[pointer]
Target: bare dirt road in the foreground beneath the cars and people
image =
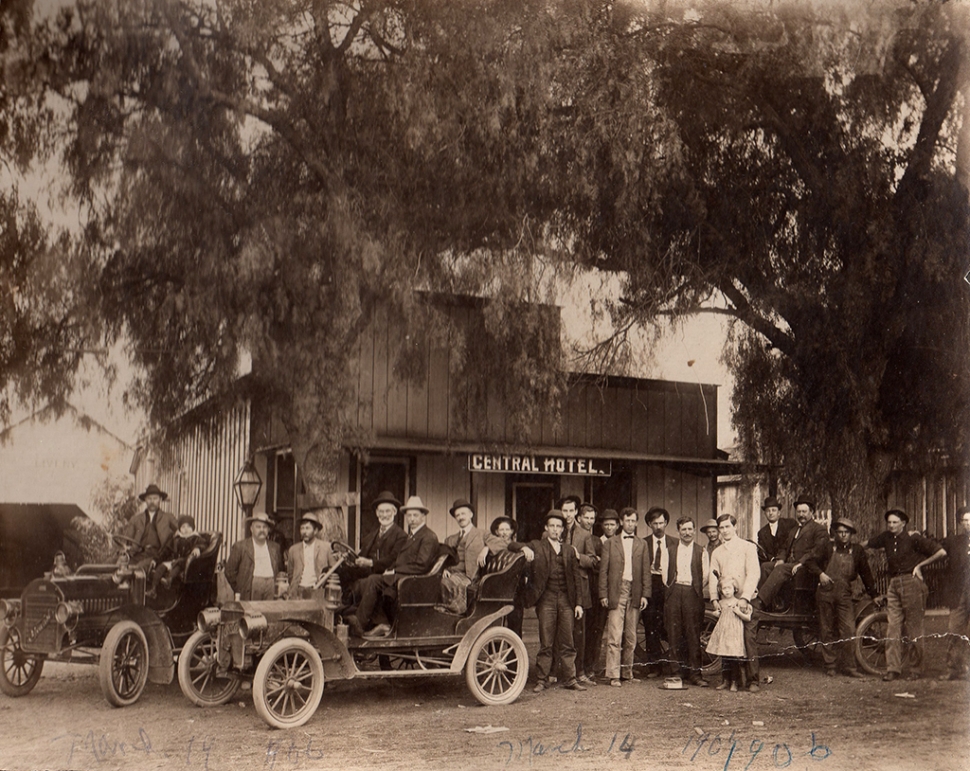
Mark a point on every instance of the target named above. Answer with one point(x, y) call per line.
point(802, 720)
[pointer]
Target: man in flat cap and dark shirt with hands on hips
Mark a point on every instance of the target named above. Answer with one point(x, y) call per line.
point(906, 556)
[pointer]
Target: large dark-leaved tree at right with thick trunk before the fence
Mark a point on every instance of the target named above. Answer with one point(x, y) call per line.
point(808, 188)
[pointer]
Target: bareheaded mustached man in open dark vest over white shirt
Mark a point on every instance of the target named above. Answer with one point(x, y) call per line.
point(687, 573)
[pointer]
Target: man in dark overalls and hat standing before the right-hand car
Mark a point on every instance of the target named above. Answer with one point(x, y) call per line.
point(836, 610)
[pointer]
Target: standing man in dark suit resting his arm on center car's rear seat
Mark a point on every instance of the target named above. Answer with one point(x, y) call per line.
point(555, 573)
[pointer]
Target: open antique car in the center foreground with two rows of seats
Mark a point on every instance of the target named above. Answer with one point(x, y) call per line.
point(290, 648)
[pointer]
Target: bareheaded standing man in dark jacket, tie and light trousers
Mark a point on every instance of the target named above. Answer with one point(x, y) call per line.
point(624, 590)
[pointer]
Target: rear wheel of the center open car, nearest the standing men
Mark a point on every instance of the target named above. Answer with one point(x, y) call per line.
point(497, 666)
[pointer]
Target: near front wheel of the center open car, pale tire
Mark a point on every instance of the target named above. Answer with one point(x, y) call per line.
point(289, 683)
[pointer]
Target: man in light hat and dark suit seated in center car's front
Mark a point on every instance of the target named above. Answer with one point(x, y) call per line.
point(416, 557)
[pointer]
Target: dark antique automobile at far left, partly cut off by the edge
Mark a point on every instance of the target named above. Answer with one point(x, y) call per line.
point(105, 614)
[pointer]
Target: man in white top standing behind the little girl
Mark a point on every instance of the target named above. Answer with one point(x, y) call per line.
point(738, 558)
